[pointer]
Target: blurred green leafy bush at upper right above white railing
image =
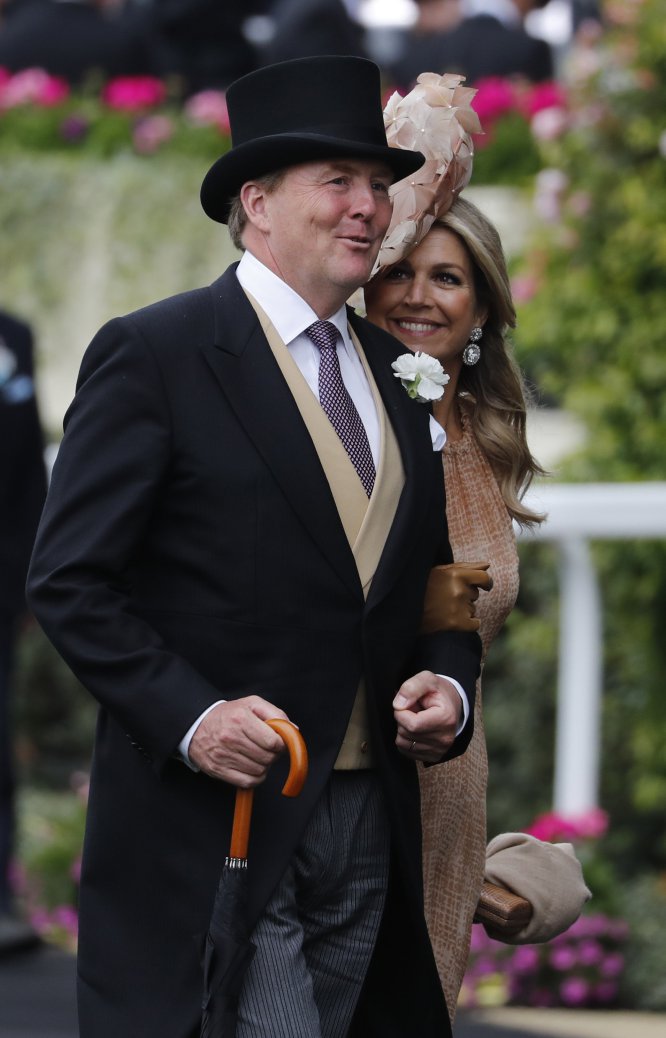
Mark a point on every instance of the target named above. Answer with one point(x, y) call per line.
point(593, 336)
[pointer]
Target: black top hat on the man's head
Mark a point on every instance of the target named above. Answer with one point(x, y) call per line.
point(307, 111)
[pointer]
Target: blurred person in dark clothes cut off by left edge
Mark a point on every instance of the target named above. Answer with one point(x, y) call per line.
point(22, 495)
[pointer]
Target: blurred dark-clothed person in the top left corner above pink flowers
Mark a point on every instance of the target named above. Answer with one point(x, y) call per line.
point(74, 39)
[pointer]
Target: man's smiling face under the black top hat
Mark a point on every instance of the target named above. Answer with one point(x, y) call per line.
point(326, 223)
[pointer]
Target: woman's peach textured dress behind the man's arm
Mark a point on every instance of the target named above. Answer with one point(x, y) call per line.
point(454, 796)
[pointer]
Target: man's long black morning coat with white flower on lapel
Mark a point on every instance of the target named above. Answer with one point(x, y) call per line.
point(190, 551)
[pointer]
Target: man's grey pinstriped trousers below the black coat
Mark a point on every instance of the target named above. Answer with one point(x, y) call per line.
point(317, 936)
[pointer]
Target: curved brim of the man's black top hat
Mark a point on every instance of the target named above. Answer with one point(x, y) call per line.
point(269, 155)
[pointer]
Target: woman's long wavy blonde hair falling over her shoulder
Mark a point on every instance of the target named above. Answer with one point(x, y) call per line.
point(493, 394)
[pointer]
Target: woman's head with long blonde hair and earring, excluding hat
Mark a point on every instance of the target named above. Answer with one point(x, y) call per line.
point(437, 299)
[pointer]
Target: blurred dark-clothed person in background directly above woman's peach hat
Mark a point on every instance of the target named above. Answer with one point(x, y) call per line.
point(490, 40)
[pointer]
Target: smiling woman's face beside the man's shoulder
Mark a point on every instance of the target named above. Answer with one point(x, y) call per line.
point(428, 302)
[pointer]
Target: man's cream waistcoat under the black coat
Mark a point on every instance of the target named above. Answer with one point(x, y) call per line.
point(367, 523)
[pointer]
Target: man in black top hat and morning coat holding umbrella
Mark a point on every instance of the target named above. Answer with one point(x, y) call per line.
point(242, 518)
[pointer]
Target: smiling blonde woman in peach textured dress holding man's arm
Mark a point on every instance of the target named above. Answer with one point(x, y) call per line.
point(450, 296)
